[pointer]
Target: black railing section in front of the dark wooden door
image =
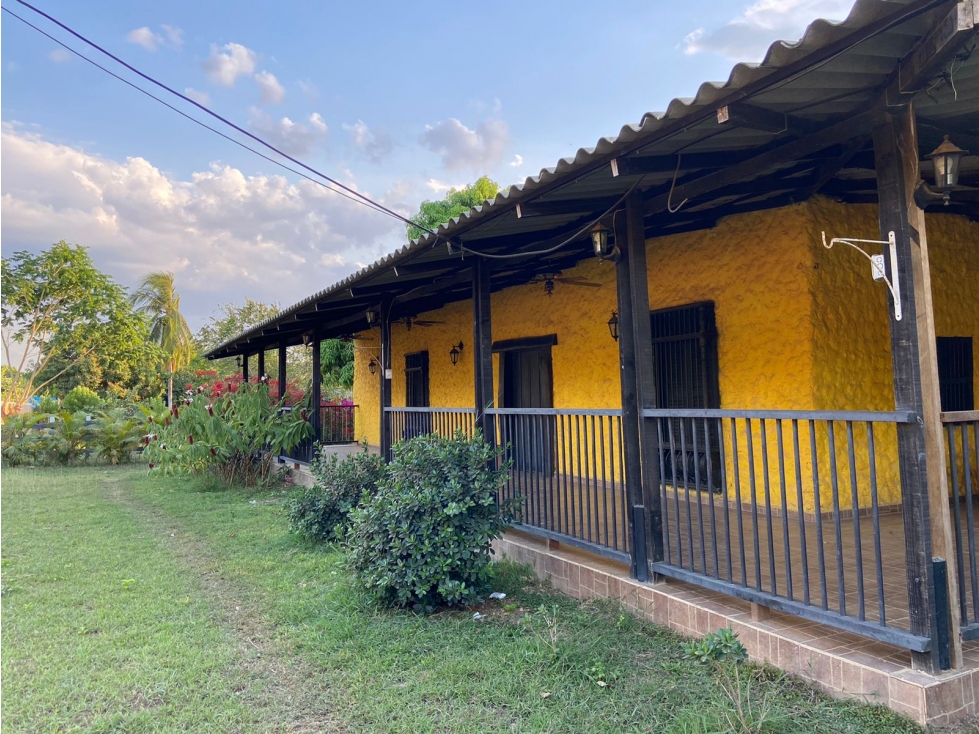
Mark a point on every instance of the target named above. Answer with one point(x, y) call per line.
point(567, 473)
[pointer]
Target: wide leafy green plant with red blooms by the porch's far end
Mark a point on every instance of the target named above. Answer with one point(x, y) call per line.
point(228, 435)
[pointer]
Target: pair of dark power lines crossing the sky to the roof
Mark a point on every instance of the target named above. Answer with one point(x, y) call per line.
point(352, 192)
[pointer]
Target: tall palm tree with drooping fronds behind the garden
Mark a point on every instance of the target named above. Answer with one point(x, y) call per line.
point(156, 298)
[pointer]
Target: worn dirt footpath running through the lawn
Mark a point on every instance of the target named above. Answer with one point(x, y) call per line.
point(276, 680)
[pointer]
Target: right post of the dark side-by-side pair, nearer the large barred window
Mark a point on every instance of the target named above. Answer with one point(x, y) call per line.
point(645, 375)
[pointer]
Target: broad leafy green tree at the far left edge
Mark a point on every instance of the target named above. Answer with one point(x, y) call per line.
point(59, 313)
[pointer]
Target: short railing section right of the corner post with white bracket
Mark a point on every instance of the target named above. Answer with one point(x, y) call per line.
point(962, 447)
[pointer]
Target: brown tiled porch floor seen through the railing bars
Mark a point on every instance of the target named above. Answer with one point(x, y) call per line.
point(709, 536)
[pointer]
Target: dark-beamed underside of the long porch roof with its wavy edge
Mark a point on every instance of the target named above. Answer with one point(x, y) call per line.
point(797, 124)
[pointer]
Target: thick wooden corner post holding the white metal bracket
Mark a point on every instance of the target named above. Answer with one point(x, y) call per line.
point(927, 526)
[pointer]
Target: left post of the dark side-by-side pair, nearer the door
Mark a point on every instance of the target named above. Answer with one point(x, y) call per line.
point(631, 416)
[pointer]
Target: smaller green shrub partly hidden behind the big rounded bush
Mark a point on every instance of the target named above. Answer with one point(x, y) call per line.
point(321, 513)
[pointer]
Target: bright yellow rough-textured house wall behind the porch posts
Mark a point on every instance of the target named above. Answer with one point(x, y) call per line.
point(799, 327)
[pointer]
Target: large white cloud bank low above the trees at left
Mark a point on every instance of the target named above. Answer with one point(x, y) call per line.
point(226, 235)
